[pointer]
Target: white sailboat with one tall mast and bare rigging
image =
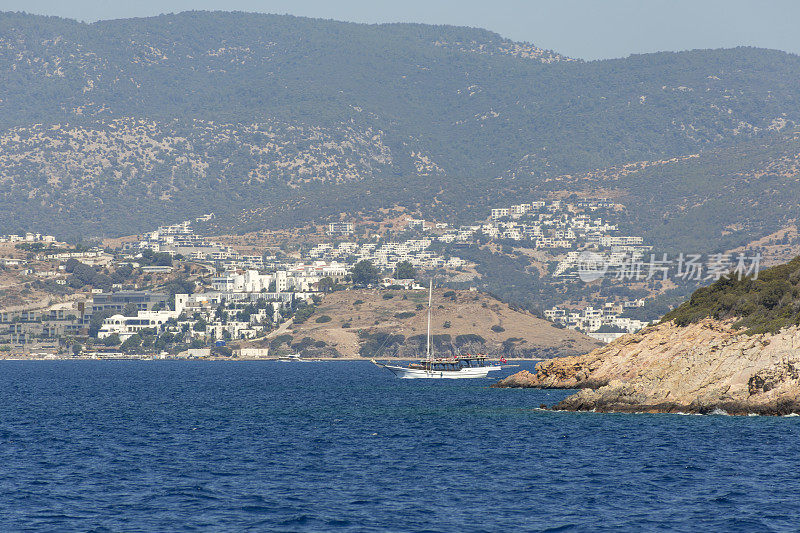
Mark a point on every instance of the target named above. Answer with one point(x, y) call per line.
point(459, 367)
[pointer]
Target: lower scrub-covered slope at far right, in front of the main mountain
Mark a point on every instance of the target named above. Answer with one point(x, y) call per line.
point(716, 199)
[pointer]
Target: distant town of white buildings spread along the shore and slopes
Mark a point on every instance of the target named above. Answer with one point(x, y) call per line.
point(176, 293)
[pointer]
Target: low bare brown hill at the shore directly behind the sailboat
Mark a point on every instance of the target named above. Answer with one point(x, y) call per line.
point(366, 323)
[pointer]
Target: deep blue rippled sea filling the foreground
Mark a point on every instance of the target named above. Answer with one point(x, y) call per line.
point(345, 446)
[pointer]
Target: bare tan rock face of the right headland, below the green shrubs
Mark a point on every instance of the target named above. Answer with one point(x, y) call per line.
point(695, 369)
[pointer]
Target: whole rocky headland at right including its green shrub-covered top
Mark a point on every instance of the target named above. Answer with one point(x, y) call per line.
point(734, 347)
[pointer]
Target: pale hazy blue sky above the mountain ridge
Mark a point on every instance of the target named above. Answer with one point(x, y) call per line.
point(588, 29)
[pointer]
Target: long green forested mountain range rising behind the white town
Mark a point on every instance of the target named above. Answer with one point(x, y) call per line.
point(113, 127)
